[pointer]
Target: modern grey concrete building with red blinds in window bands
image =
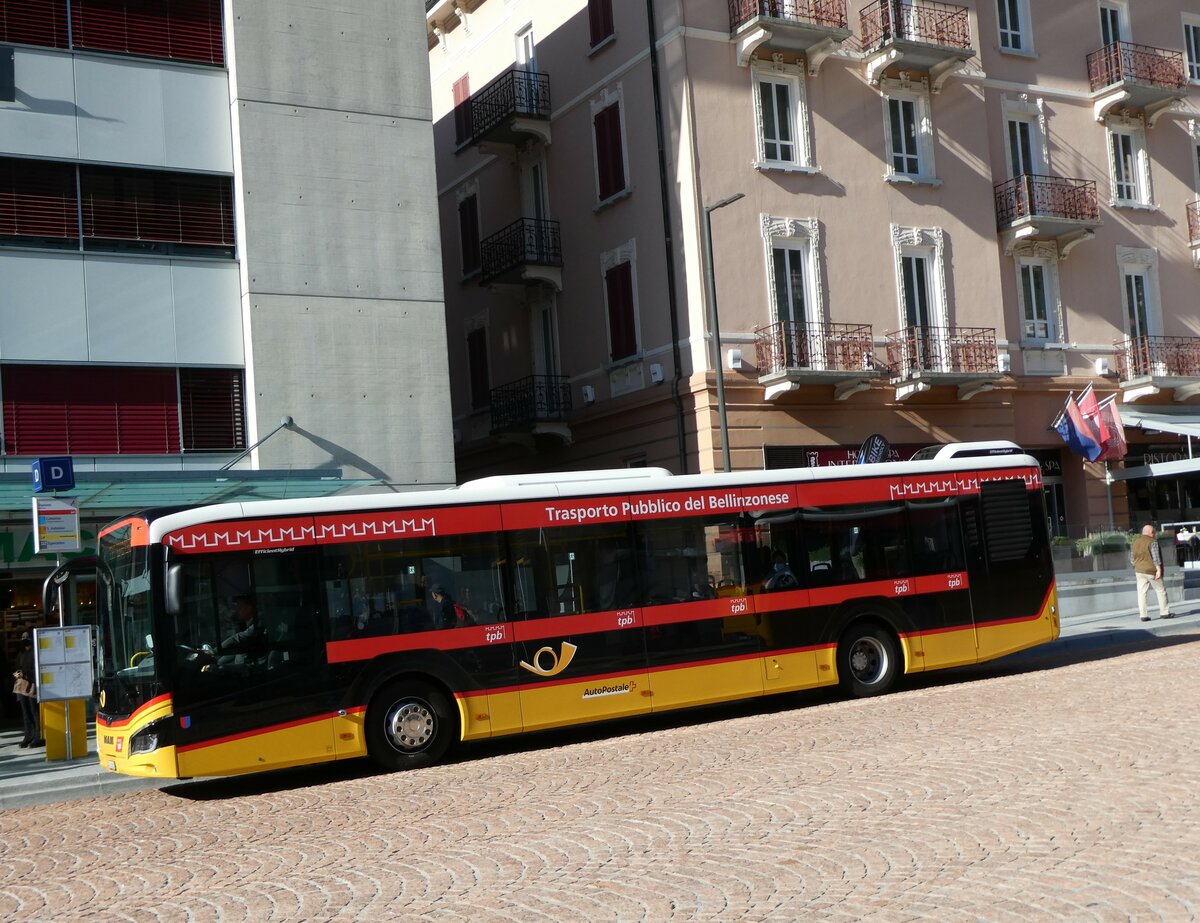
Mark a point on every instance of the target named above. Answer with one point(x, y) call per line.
point(219, 250)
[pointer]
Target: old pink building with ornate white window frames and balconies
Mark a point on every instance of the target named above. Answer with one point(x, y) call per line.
point(931, 221)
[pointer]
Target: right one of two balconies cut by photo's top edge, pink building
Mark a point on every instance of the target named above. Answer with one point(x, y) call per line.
point(916, 35)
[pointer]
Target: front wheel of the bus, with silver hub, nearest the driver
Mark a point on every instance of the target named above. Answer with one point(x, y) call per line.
point(410, 724)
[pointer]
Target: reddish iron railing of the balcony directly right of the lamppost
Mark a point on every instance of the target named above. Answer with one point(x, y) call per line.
point(817, 347)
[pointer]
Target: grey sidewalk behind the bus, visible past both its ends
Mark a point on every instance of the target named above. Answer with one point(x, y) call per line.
point(28, 780)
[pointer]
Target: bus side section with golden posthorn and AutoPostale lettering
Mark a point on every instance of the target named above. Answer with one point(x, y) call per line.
point(581, 643)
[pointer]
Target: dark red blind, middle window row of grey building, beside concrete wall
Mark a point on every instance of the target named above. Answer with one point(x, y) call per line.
point(124, 205)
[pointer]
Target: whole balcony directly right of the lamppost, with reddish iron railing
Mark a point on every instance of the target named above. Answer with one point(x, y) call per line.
point(791, 355)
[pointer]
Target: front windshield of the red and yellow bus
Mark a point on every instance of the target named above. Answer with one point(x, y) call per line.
point(128, 675)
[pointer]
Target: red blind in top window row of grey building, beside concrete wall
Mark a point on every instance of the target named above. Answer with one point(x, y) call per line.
point(184, 31)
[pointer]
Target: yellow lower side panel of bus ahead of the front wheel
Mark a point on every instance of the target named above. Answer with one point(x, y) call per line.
point(272, 750)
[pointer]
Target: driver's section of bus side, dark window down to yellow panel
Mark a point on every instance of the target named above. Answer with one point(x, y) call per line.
point(250, 676)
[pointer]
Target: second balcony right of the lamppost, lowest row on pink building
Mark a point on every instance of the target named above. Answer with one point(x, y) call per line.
point(923, 357)
